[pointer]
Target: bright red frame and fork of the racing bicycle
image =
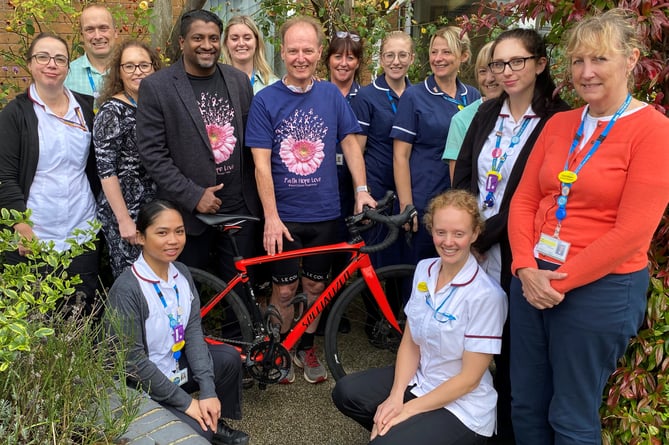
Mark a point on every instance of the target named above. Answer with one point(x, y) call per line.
point(359, 261)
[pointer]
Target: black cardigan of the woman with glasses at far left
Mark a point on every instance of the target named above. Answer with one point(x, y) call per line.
point(19, 150)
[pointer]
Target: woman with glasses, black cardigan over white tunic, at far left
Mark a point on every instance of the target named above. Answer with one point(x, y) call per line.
point(47, 162)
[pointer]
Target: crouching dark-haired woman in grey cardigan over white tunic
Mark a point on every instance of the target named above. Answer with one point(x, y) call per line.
point(157, 314)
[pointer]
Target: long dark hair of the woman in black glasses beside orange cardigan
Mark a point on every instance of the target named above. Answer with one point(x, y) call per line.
point(545, 97)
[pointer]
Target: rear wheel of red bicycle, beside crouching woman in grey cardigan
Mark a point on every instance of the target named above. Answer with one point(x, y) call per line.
point(229, 320)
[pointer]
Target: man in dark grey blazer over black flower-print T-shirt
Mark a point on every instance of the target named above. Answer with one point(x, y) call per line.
point(190, 136)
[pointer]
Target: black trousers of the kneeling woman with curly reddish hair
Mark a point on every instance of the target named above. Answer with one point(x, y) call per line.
point(358, 395)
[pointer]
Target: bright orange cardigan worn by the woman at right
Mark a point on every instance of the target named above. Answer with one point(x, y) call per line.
point(614, 207)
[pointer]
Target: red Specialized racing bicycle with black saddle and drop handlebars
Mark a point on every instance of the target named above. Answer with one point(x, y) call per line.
point(372, 304)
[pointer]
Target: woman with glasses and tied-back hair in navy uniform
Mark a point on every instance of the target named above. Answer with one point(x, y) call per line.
point(375, 106)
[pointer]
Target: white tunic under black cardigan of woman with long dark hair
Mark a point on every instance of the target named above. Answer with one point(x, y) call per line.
point(493, 257)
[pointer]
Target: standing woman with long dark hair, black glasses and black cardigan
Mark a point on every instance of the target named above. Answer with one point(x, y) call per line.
point(492, 159)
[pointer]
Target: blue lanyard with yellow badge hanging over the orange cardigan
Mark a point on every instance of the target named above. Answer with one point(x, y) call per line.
point(568, 177)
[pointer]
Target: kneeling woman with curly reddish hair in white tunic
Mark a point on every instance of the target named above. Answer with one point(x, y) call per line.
point(440, 390)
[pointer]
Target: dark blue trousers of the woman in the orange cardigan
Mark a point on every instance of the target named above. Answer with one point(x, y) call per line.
point(561, 358)
